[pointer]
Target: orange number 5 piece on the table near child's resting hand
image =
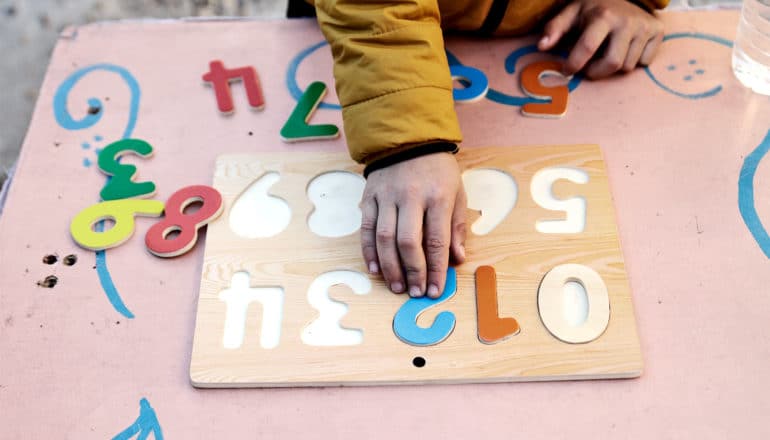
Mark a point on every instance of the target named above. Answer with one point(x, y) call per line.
point(531, 85)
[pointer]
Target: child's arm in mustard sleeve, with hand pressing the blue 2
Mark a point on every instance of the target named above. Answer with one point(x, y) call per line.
point(394, 85)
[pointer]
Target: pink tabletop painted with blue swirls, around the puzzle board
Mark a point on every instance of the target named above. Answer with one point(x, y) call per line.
point(683, 142)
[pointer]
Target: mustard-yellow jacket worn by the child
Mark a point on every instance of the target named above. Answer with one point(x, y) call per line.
point(391, 71)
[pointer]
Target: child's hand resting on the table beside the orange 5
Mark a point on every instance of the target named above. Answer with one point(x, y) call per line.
point(631, 36)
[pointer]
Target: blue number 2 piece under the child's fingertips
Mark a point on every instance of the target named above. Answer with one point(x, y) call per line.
point(405, 322)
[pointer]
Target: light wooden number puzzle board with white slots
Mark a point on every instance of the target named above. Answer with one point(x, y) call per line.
point(520, 255)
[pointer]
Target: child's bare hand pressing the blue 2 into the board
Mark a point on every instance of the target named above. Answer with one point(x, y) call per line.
point(413, 213)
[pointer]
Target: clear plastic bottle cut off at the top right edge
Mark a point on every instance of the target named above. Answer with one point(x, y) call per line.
point(751, 51)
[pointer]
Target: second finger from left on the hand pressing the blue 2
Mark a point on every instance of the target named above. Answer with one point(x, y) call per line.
point(386, 246)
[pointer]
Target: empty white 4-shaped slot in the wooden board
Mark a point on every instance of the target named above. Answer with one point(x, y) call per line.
point(238, 298)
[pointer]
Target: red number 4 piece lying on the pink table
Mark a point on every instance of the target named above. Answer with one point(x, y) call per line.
point(220, 78)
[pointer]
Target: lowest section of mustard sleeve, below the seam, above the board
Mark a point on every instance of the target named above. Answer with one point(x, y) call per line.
point(399, 121)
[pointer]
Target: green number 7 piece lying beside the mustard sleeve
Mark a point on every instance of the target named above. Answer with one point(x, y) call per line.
point(297, 128)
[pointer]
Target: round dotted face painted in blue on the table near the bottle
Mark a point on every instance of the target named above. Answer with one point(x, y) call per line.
point(700, 73)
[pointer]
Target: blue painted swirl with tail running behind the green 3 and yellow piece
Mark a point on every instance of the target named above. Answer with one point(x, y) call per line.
point(92, 117)
